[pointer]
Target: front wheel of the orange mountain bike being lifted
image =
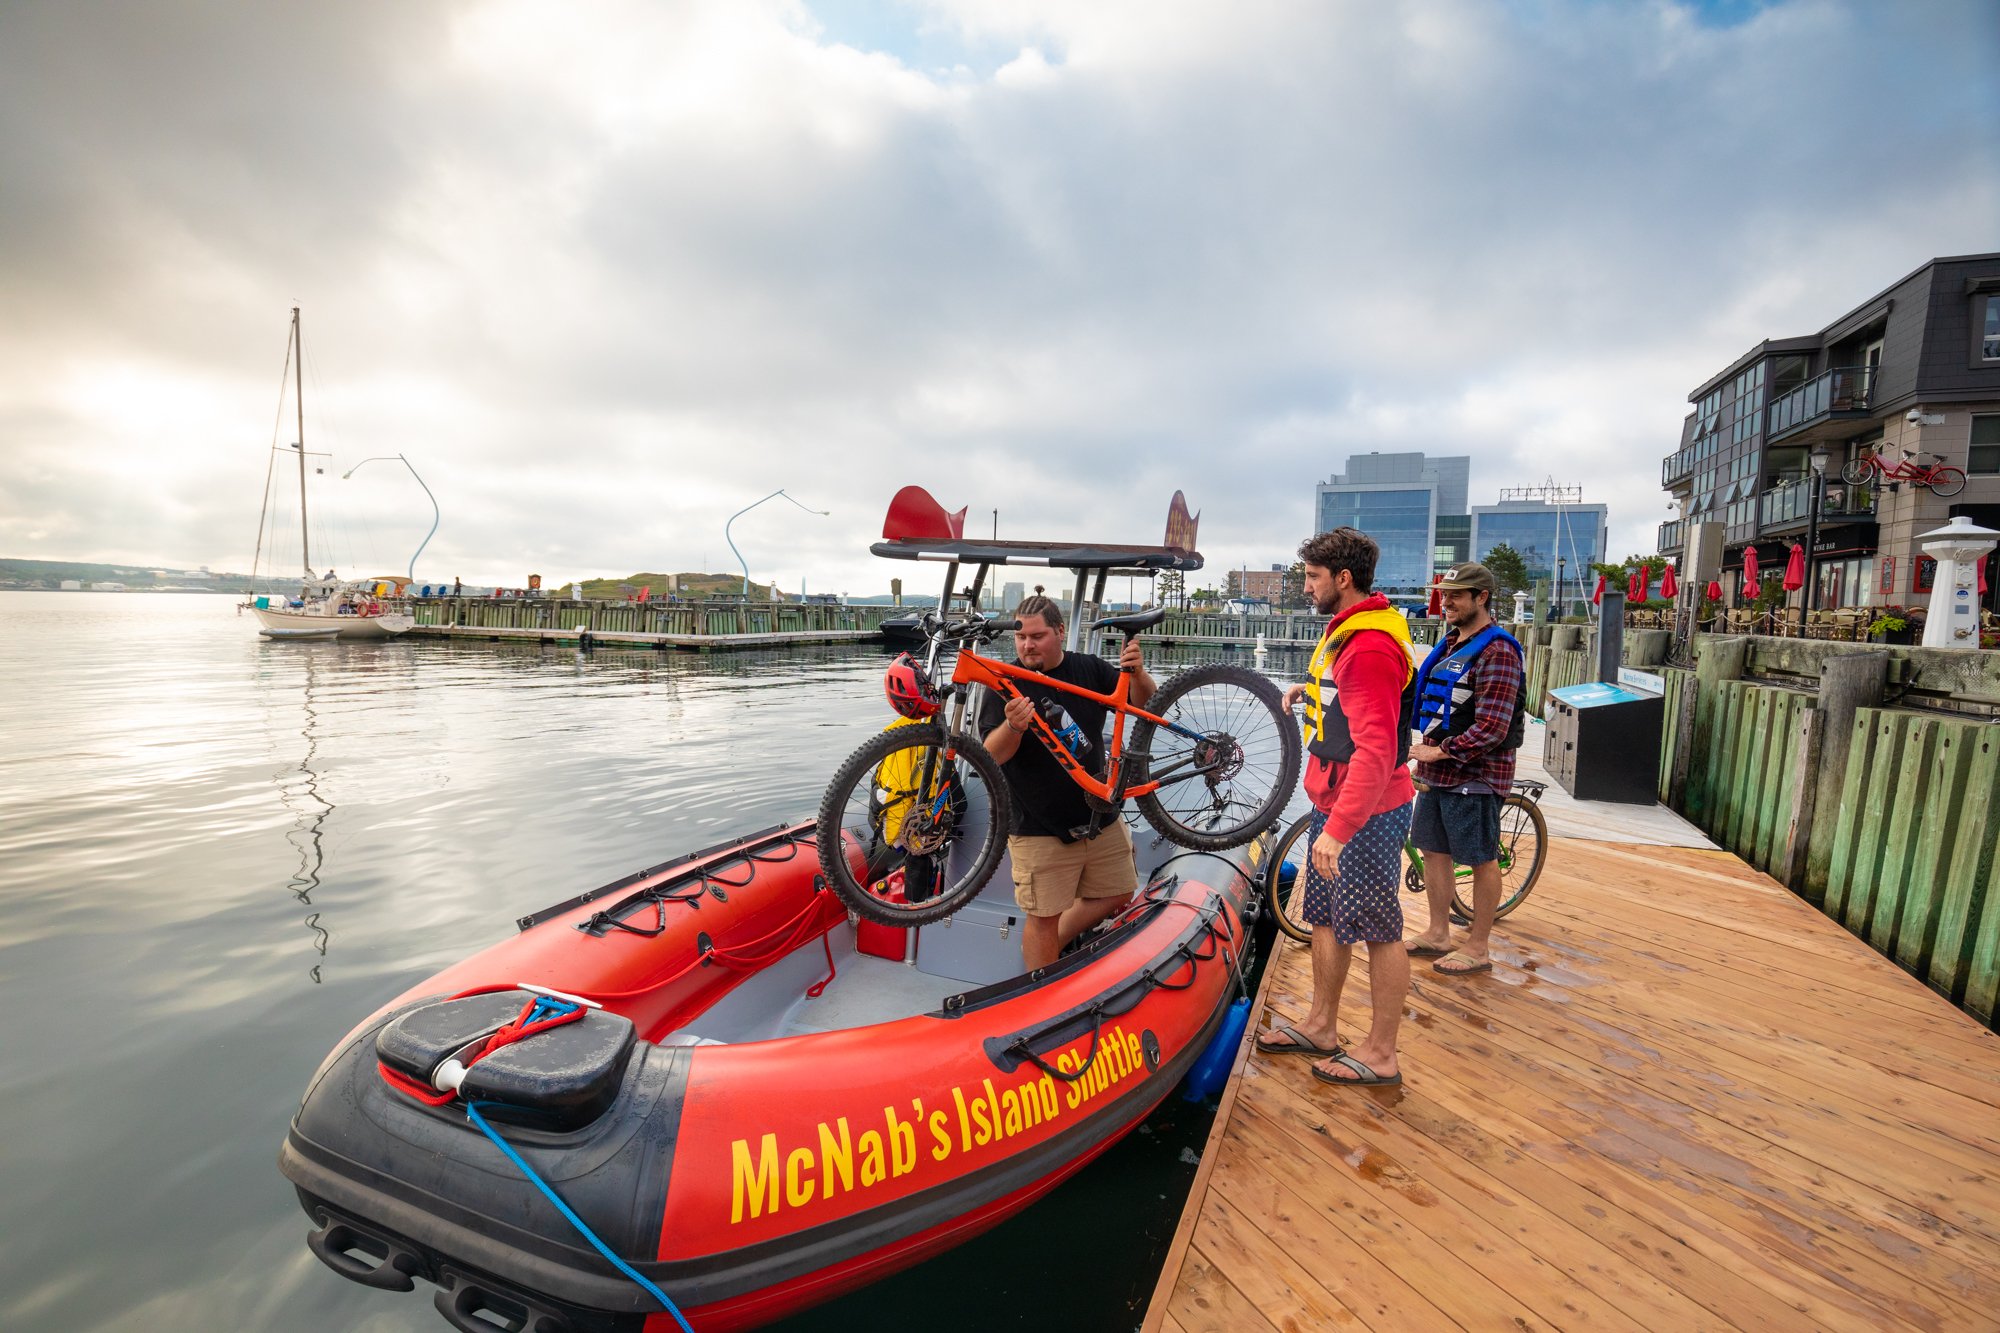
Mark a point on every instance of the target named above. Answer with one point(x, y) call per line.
point(931, 818)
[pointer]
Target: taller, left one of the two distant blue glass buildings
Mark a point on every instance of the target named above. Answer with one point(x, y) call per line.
point(1413, 505)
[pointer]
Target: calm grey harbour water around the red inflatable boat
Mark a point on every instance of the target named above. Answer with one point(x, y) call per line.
point(219, 854)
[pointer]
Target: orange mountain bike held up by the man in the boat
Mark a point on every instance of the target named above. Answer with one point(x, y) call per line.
point(1211, 766)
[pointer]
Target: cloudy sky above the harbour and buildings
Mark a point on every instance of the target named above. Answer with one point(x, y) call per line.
point(611, 271)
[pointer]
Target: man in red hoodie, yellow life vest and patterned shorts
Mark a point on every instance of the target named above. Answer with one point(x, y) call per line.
point(1359, 702)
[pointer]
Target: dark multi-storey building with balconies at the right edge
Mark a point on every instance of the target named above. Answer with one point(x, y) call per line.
point(1917, 369)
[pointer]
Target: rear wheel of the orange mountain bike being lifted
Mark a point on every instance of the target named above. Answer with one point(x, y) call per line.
point(1237, 784)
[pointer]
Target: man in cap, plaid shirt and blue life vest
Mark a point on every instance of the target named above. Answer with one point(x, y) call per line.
point(1469, 714)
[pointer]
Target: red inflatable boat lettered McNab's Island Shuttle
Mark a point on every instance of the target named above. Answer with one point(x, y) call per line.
point(753, 1100)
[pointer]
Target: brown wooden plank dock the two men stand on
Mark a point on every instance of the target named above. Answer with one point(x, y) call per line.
point(1685, 1100)
